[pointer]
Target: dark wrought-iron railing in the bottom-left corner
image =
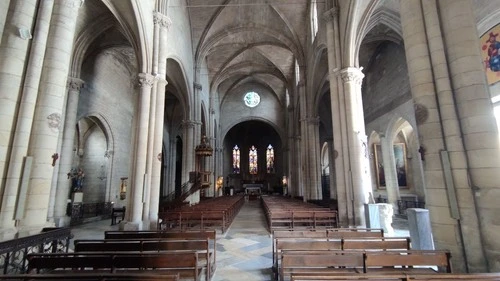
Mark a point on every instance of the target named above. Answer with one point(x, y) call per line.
point(13, 252)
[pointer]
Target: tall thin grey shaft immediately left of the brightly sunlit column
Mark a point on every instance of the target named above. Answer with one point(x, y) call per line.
point(339, 149)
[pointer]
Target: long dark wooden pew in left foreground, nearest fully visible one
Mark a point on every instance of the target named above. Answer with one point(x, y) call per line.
point(185, 264)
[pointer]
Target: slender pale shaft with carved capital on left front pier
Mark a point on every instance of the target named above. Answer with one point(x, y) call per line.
point(134, 213)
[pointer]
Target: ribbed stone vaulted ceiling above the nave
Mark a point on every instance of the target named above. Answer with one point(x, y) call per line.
point(245, 41)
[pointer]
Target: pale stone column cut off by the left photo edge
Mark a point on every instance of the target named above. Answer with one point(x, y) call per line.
point(13, 56)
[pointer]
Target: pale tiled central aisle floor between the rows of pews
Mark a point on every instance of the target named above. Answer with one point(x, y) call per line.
point(245, 251)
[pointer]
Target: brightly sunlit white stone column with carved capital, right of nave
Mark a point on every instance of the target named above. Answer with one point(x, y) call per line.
point(358, 157)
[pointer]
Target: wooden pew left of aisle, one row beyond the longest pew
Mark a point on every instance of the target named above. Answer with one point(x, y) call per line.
point(206, 257)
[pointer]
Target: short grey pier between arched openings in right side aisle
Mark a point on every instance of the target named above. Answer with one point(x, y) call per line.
point(391, 178)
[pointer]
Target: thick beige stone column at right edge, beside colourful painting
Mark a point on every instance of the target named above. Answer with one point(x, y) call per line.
point(479, 133)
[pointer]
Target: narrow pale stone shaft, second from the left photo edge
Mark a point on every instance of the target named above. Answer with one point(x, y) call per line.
point(25, 115)
